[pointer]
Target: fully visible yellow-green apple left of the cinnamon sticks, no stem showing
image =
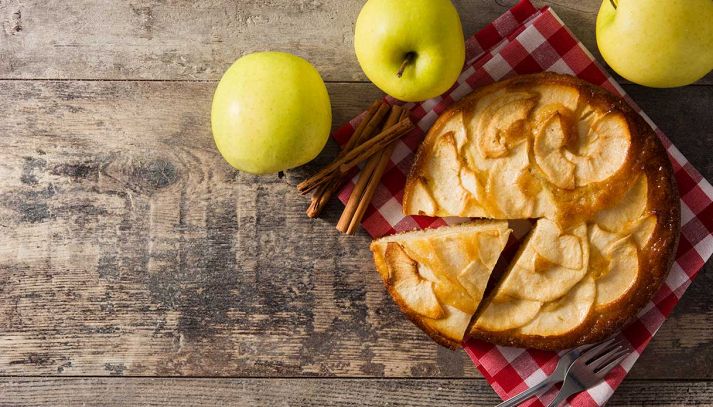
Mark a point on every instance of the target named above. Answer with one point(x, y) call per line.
point(270, 112)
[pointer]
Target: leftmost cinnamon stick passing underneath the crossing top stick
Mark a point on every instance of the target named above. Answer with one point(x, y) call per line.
point(373, 117)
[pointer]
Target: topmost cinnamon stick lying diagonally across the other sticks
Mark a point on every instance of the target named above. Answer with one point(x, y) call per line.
point(360, 153)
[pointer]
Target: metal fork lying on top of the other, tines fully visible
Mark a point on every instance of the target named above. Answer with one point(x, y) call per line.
point(591, 368)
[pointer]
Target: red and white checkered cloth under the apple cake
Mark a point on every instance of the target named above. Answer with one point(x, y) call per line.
point(528, 40)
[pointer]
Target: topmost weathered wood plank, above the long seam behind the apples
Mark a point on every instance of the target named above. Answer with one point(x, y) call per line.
point(152, 39)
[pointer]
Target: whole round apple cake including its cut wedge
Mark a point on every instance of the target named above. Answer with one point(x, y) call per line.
point(592, 172)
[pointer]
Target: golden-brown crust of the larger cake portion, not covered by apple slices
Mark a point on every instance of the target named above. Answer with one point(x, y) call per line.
point(646, 156)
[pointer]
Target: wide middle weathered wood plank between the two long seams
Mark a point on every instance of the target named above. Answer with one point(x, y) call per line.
point(129, 247)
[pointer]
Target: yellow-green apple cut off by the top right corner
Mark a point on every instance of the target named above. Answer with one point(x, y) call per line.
point(657, 43)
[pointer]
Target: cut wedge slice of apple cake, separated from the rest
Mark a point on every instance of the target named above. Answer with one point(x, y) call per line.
point(438, 276)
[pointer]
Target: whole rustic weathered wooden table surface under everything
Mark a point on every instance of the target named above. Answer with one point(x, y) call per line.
point(138, 268)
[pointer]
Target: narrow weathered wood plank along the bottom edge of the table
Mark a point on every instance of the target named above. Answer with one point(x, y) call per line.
point(24, 391)
